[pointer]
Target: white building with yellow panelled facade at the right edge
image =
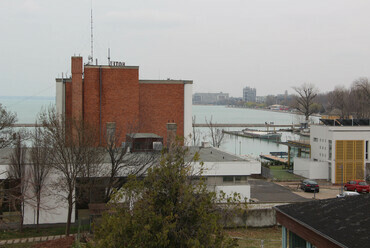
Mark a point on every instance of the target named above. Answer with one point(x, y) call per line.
point(335, 145)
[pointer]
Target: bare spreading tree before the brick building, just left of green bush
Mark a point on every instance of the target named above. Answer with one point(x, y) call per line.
point(124, 161)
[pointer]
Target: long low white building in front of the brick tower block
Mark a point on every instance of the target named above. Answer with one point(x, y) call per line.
point(222, 171)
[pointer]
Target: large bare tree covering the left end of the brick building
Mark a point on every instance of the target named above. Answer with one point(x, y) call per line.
point(73, 153)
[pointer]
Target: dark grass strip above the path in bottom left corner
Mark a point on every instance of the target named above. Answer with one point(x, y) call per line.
point(31, 232)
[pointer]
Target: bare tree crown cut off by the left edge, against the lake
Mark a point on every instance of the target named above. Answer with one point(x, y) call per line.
point(7, 120)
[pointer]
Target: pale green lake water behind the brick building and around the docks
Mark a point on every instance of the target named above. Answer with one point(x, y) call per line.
point(27, 109)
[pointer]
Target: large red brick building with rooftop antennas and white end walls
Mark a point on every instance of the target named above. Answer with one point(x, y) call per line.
point(106, 95)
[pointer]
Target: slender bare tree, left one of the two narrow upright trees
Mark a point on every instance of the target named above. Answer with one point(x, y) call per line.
point(18, 173)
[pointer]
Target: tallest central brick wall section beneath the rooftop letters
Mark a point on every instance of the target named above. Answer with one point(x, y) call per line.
point(119, 98)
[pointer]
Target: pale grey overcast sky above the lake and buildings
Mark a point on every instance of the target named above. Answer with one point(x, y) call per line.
point(225, 45)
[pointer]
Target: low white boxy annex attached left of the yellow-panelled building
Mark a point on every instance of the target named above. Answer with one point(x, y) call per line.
point(311, 169)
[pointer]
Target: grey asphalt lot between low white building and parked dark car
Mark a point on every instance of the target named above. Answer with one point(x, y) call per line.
point(265, 191)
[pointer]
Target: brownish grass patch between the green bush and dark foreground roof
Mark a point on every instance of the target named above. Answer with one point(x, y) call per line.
point(251, 237)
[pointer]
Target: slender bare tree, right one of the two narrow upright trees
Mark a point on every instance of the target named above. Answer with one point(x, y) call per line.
point(39, 167)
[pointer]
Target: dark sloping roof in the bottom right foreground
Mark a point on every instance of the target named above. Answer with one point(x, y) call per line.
point(345, 220)
